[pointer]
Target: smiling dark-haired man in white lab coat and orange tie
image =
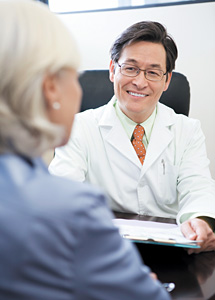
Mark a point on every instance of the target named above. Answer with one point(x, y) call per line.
point(148, 159)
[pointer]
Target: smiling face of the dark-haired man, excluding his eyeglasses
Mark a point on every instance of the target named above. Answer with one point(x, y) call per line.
point(137, 96)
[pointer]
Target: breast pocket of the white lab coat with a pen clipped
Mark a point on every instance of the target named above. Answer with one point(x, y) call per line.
point(167, 180)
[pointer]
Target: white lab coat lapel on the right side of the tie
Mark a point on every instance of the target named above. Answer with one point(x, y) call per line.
point(161, 136)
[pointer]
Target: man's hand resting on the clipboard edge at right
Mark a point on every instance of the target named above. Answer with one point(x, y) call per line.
point(199, 230)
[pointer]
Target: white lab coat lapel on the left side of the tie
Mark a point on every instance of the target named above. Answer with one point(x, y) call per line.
point(114, 135)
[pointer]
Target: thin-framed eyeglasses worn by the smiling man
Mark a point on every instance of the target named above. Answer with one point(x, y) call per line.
point(133, 71)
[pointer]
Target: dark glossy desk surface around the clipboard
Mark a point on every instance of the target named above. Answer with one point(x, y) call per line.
point(193, 275)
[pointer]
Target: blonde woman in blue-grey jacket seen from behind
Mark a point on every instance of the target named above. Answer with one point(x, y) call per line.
point(57, 240)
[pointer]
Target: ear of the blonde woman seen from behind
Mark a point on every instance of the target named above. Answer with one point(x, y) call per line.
point(50, 90)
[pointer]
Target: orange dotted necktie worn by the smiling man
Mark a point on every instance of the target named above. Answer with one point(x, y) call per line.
point(138, 144)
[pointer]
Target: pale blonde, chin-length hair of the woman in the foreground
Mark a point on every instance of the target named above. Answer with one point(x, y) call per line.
point(34, 43)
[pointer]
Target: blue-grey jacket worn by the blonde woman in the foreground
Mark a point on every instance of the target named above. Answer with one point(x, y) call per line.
point(57, 241)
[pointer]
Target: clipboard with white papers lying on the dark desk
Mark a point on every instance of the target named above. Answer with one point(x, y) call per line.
point(153, 233)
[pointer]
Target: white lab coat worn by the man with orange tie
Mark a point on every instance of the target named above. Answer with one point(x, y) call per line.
point(174, 179)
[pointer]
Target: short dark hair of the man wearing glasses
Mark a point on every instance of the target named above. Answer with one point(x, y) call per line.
point(146, 31)
